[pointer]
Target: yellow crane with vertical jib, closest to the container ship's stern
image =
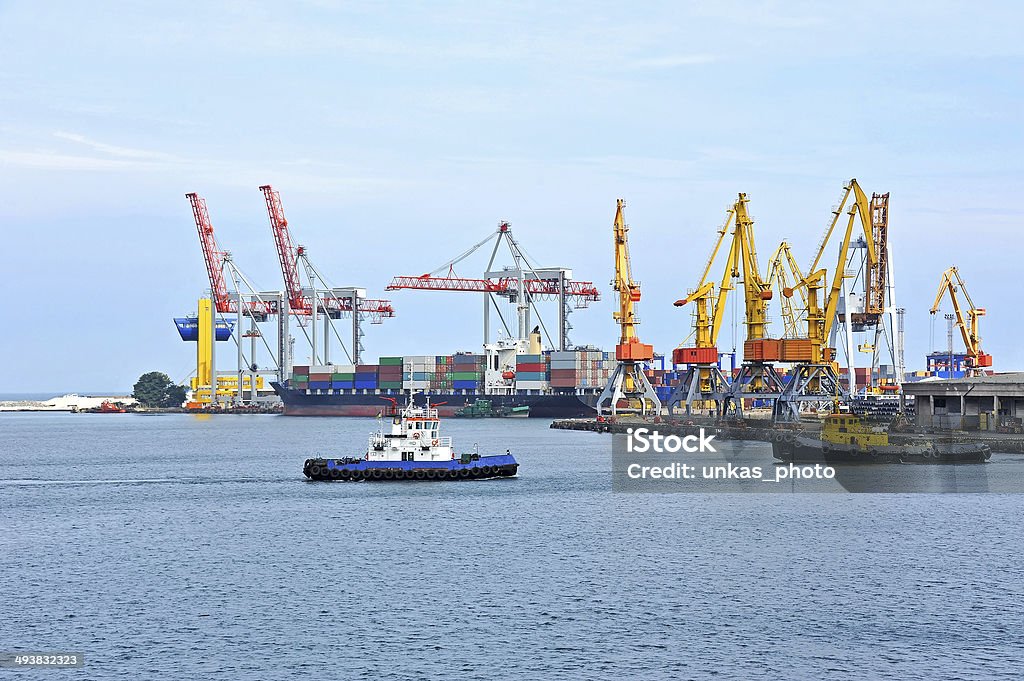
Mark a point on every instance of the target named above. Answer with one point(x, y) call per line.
point(628, 382)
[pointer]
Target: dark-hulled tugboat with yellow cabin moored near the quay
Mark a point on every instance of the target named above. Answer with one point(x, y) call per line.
point(846, 439)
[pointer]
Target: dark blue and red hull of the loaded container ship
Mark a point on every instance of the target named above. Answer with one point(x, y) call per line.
point(300, 403)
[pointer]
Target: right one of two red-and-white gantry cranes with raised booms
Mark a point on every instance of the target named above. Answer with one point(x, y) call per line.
point(319, 300)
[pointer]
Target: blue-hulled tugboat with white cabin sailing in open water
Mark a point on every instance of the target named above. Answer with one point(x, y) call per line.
point(412, 451)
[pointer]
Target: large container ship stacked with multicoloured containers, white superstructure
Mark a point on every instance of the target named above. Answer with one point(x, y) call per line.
point(552, 385)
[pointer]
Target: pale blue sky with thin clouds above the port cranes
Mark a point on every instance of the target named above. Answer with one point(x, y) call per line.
point(399, 135)
